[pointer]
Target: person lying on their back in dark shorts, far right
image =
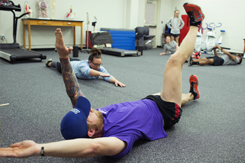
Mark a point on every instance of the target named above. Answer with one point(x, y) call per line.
point(227, 59)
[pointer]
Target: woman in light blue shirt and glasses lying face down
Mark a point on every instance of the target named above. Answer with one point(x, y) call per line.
point(88, 69)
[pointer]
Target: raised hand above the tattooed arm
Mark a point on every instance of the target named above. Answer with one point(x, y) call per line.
point(62, 50)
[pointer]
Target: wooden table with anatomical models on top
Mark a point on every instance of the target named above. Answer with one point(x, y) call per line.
point(51, 22)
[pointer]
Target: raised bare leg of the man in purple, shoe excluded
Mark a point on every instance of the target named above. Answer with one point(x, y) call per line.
point(172, 86)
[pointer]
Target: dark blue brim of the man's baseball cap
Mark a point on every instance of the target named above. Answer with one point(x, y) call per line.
point(83, 105)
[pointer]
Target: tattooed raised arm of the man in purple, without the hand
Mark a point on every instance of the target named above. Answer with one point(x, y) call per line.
point(70, 80)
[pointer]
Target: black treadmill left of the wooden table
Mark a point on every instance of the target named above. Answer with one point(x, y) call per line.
point(13, 52)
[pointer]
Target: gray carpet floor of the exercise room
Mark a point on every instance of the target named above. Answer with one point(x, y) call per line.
point(211, 129)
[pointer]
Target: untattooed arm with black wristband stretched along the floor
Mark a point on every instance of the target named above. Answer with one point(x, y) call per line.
point(80, 148)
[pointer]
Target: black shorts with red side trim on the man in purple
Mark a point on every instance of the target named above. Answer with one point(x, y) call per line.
point(171, 112)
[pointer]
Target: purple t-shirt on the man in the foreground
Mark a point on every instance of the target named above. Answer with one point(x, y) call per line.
point(130, 121)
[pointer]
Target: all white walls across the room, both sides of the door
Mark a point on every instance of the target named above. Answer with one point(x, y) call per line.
point(127, 14)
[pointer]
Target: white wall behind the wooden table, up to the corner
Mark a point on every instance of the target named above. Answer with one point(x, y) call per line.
point(110, 13)
